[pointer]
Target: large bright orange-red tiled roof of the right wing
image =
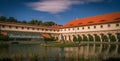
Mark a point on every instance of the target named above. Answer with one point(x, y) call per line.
point(105, 18)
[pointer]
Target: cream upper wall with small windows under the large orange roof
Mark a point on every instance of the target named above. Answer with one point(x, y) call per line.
point(98, 28)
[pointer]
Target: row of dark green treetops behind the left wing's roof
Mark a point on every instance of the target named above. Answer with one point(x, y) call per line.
point(32, 22)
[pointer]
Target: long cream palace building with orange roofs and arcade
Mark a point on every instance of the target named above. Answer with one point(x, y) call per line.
point(101, 28)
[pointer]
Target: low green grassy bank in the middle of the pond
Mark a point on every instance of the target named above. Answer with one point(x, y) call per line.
point(58, 44)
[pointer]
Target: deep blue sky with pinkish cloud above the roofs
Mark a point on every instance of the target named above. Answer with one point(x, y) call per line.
point(59, 11)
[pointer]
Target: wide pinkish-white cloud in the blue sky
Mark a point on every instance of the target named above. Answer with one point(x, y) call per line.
point(56, 6)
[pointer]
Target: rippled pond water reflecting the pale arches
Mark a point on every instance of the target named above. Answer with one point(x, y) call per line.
point(91, 52)
